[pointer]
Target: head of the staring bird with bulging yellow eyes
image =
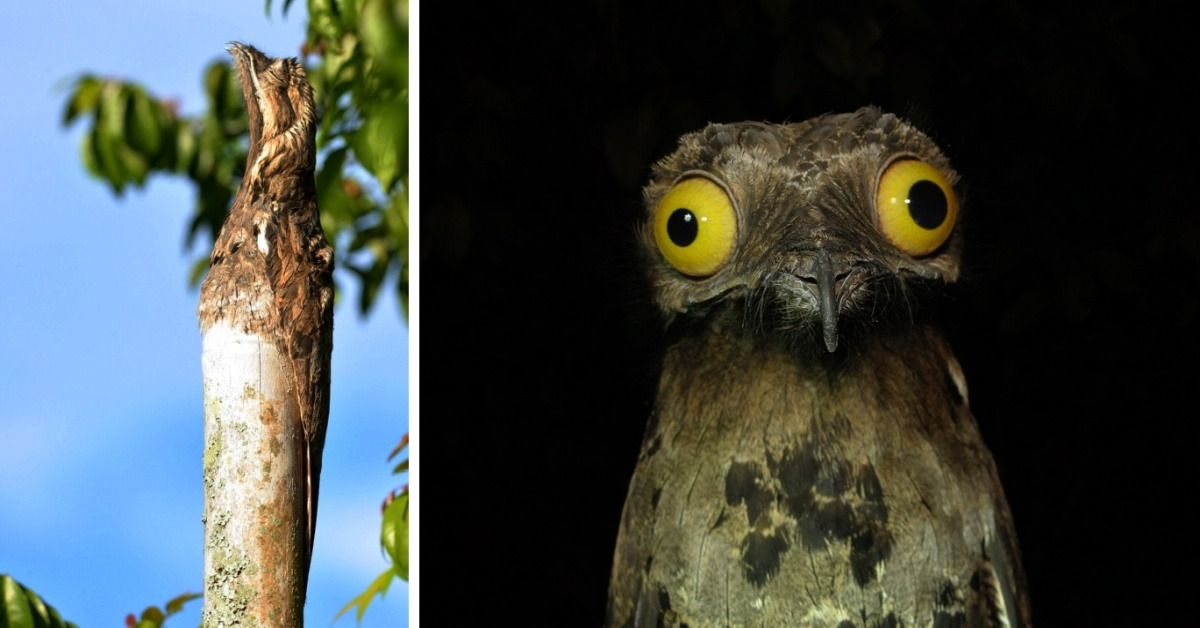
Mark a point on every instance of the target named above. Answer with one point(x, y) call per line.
point(838, 219)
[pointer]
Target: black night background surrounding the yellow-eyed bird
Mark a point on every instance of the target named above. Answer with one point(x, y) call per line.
point(1077, 322)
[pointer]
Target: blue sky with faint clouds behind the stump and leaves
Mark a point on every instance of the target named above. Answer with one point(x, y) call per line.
point(101, 420)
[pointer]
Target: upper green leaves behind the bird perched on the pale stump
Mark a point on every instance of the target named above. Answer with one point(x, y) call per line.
point(357, 58)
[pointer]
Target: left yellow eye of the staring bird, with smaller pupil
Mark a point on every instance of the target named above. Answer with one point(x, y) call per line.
point(695, 226)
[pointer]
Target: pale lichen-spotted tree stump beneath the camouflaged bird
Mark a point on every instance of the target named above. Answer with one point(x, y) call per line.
point(255, 498)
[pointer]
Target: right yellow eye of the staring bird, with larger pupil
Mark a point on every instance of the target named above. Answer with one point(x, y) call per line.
point(916, 206)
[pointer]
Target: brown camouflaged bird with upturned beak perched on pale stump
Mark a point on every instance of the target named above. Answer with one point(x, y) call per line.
point(272, 266)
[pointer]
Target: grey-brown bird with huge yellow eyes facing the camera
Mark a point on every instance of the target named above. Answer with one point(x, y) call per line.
point(812, 458)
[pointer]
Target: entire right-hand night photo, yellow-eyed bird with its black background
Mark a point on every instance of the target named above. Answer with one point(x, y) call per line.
point(808, 314)
